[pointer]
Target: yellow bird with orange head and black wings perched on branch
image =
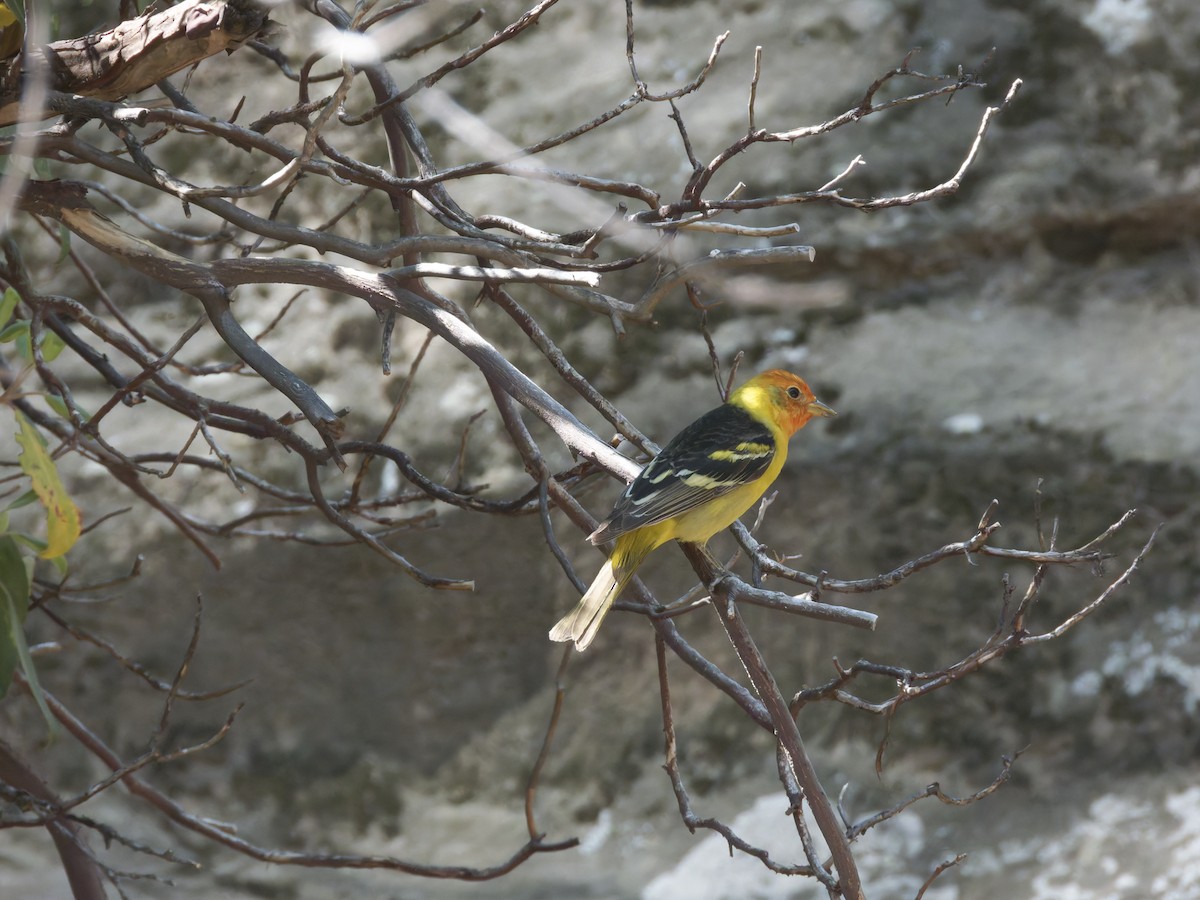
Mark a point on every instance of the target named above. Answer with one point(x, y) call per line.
point(700, 484)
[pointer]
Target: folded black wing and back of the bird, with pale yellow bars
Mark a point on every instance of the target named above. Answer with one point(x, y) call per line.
point(724, 449)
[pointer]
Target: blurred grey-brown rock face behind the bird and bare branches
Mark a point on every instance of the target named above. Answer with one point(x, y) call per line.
point(1042, 326)
